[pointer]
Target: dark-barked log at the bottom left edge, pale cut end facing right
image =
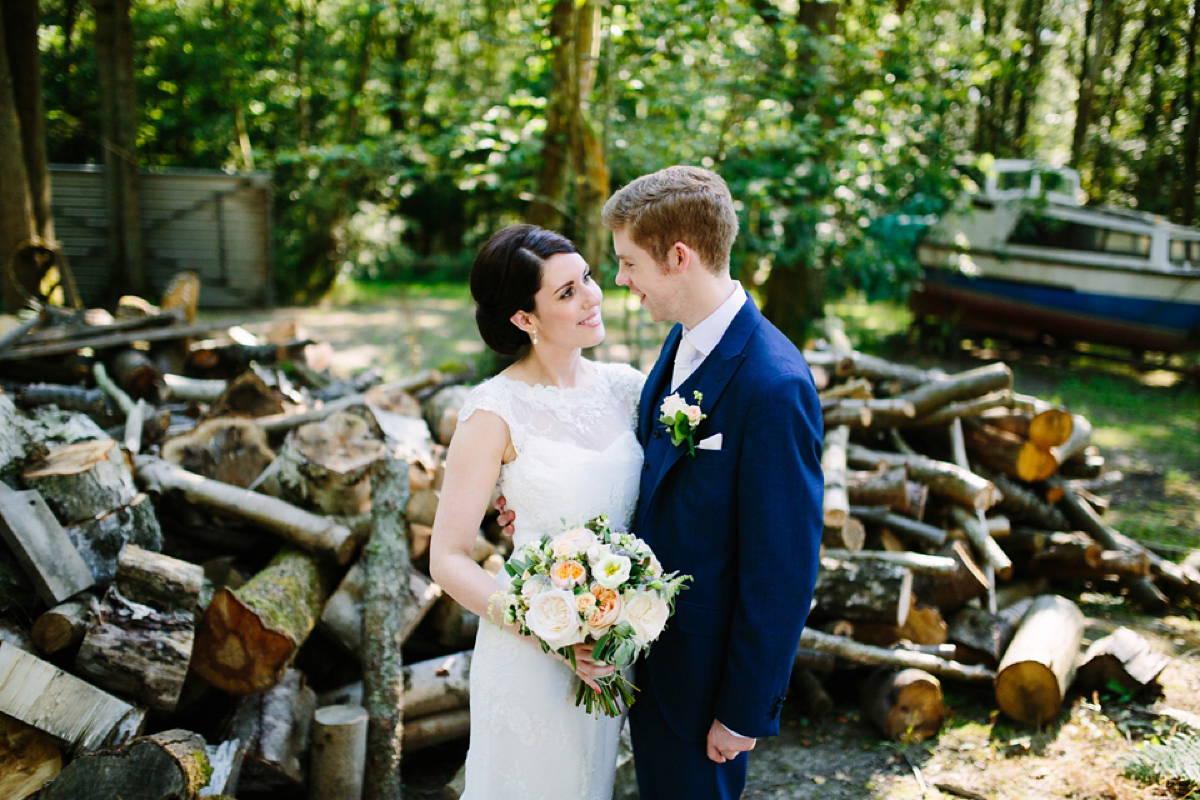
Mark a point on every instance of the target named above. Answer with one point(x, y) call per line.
point(167, 766)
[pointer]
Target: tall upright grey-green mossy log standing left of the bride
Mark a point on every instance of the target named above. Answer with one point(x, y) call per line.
point(385, 618)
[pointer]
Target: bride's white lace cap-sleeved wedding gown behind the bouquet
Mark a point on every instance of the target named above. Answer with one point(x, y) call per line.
point(578, 458)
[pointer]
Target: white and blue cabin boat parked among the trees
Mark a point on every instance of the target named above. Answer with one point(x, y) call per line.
point(1018, 256)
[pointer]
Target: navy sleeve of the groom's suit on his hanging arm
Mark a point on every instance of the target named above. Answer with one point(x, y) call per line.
point(779, 498)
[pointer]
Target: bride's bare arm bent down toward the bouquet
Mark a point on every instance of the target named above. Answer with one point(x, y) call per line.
point(473, 466)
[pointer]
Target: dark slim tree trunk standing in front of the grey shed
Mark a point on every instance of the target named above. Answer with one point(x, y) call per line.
point(115, 69)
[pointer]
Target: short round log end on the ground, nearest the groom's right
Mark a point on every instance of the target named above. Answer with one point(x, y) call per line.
point(905, 705)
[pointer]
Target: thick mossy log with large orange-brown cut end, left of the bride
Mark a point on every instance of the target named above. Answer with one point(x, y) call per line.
point(248, 636)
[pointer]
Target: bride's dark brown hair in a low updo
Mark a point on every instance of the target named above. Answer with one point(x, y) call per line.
point(505, 279)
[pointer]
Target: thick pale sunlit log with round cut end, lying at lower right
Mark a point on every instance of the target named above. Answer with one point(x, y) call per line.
point(1040, 664)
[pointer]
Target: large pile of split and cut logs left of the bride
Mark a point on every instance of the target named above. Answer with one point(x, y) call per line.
point(214, 564)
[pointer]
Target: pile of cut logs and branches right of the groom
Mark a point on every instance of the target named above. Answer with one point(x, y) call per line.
point(953, 509)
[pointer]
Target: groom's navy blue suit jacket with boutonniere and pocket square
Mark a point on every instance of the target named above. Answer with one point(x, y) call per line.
point(743, 521)
